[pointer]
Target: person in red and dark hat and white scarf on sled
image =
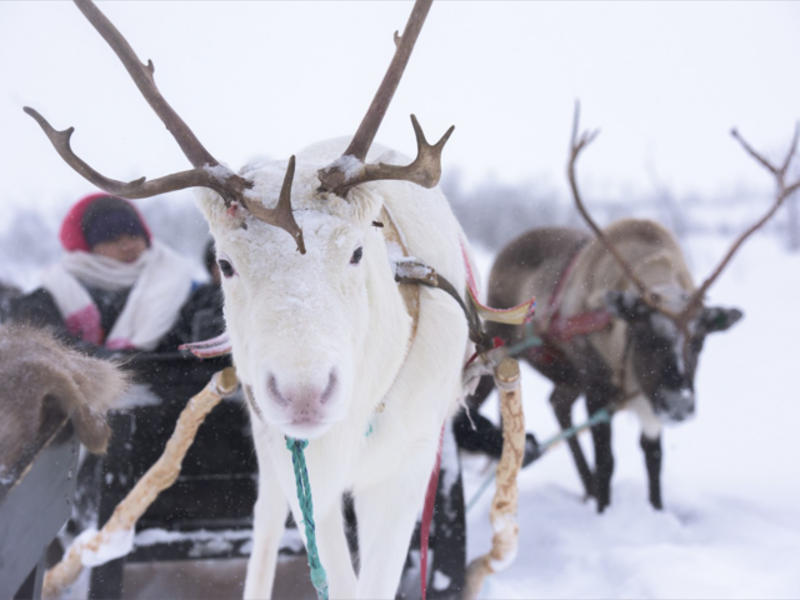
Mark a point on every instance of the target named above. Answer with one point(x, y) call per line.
point(116, 288)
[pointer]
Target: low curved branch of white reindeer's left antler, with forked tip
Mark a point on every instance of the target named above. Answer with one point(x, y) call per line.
point(133, 190)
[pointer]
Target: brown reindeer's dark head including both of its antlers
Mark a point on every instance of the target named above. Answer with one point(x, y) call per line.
point(666, 331)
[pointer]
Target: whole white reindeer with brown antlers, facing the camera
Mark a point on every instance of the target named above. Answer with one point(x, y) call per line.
point(328, 345)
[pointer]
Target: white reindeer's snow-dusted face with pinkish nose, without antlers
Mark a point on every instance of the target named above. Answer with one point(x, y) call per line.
point(297, 322)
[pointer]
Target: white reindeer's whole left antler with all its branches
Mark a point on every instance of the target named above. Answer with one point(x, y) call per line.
point(207, 171)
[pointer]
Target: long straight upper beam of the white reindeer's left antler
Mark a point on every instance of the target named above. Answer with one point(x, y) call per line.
point(142, 76)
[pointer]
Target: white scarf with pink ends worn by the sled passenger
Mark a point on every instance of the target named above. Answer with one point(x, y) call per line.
point(161, 281)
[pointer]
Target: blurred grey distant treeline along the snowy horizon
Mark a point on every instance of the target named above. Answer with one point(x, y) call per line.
point(491, 214)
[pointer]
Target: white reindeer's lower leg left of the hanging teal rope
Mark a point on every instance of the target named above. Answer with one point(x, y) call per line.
point(268, 523)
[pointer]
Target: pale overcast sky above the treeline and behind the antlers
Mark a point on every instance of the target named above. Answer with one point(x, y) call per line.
point(665, 81)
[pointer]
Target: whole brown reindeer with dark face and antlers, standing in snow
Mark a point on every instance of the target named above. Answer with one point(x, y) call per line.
point(620, 319)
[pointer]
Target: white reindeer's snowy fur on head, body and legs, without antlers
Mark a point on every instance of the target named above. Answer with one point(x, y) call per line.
point(295, 319)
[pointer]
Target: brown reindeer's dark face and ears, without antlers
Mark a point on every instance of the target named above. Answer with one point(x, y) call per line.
point(664, 356)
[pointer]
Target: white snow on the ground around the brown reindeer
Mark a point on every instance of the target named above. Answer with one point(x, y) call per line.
point(731, 485)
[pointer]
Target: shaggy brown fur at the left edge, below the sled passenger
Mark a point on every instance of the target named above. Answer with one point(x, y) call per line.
point(38, 375)
